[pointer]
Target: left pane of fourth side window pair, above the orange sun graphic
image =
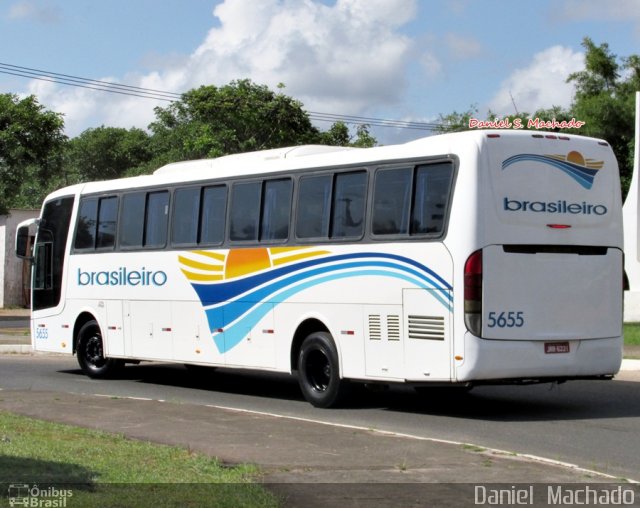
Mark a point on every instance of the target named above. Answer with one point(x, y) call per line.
point(245, 211)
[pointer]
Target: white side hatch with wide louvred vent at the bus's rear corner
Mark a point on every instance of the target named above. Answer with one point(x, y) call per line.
point(427, 347)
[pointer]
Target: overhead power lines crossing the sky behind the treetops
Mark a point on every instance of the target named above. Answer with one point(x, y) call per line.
point(161, 95)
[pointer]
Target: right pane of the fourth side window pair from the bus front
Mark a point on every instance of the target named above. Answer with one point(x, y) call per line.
point(276, 207)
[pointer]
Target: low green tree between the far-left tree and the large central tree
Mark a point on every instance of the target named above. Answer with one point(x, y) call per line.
point(106, 152)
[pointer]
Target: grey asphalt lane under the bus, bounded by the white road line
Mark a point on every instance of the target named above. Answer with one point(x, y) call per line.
point(594, 424)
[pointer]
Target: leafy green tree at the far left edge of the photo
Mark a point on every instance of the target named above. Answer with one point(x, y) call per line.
point(31, 145)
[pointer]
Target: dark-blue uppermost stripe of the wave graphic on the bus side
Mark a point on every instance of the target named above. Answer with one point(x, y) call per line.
point(225, 291)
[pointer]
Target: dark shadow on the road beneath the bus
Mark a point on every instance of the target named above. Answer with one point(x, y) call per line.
point(574, 400)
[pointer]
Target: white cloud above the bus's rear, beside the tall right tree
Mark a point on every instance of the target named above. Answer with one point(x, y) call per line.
point(542, 84)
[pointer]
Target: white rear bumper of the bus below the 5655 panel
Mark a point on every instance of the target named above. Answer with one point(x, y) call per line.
point(522, 360)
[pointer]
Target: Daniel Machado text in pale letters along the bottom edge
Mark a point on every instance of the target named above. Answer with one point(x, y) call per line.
point(557, 495)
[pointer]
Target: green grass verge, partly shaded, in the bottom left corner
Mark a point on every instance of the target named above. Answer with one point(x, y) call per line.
point(102, 469)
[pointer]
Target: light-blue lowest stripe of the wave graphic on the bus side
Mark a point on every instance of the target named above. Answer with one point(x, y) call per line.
point(234, 334)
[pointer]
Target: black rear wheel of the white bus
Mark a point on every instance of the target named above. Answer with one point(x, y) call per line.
point(319, 371)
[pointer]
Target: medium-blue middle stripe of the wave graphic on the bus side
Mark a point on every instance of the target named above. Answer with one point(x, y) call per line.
point(220, 315)
